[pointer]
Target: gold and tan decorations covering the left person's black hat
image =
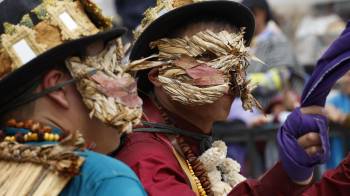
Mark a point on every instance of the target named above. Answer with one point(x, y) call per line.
point(59, 22)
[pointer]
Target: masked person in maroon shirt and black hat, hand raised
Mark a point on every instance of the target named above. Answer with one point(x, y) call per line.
point(194, 56)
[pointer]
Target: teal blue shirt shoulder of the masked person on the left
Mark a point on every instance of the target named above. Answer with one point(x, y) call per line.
point(102, 175)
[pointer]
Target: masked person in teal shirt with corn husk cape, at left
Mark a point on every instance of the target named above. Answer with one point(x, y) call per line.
point(60, 76)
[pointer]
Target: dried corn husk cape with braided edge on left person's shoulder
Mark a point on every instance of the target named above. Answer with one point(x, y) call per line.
point(38, 170)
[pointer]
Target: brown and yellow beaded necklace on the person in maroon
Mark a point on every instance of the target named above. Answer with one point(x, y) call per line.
point(196, 167)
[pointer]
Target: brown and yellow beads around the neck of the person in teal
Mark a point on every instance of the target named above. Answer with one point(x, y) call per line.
point(29, 131)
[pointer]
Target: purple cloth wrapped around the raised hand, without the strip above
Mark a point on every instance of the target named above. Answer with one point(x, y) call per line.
point(296, 162)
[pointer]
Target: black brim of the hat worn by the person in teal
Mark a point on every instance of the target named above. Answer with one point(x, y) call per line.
point(11, 84)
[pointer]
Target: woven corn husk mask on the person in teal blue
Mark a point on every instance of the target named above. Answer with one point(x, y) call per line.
point(110, 93)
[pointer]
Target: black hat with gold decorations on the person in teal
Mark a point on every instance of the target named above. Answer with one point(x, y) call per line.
point(29, 14)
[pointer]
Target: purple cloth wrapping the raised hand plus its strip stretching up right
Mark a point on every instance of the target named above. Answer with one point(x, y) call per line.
point(332, 65)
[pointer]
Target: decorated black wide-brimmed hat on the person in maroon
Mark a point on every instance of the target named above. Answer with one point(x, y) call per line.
point(169, 16)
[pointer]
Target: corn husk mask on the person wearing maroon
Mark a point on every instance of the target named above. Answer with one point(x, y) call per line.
point(191, 80)
